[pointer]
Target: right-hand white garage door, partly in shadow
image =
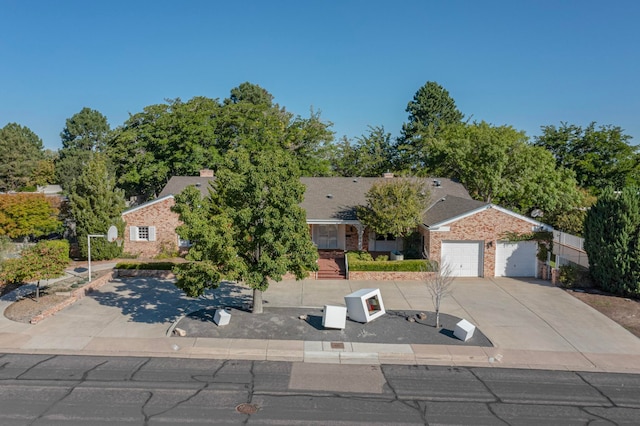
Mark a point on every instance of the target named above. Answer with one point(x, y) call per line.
point(516, 259)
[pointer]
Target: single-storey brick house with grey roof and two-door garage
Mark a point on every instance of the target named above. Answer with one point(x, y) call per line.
point(464, 233)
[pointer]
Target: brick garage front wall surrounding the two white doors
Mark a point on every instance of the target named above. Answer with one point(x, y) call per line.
point(488, 225)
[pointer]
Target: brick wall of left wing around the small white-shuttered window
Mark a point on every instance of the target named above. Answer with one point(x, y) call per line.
point(157, 214)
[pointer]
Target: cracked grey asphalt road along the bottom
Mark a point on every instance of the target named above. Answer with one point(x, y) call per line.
point(82, 390)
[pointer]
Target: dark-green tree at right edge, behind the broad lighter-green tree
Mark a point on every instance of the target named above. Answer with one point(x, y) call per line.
point(600, 156)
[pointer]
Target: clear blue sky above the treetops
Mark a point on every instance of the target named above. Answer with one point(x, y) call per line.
point(521, 63)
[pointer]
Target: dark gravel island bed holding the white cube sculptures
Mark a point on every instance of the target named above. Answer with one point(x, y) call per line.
point(285, 324)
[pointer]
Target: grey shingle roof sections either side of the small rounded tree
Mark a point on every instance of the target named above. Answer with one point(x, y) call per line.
point(336, 198)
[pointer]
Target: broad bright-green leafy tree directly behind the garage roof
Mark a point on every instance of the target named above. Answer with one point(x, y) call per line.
point(496, 164)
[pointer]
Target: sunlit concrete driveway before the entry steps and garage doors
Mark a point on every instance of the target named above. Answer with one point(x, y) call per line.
point(519, 314)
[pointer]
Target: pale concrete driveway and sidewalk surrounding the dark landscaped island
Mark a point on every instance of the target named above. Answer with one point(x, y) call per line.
point(531, 324)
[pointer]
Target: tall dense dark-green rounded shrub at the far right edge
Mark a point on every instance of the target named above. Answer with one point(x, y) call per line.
point(612, 241)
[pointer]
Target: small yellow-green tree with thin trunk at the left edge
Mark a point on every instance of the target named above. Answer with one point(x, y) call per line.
point(45, 260)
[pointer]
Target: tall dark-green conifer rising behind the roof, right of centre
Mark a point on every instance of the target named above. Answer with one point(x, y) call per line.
point(431, 109)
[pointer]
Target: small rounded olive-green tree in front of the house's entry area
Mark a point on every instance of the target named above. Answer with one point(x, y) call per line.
point(394, 206)
